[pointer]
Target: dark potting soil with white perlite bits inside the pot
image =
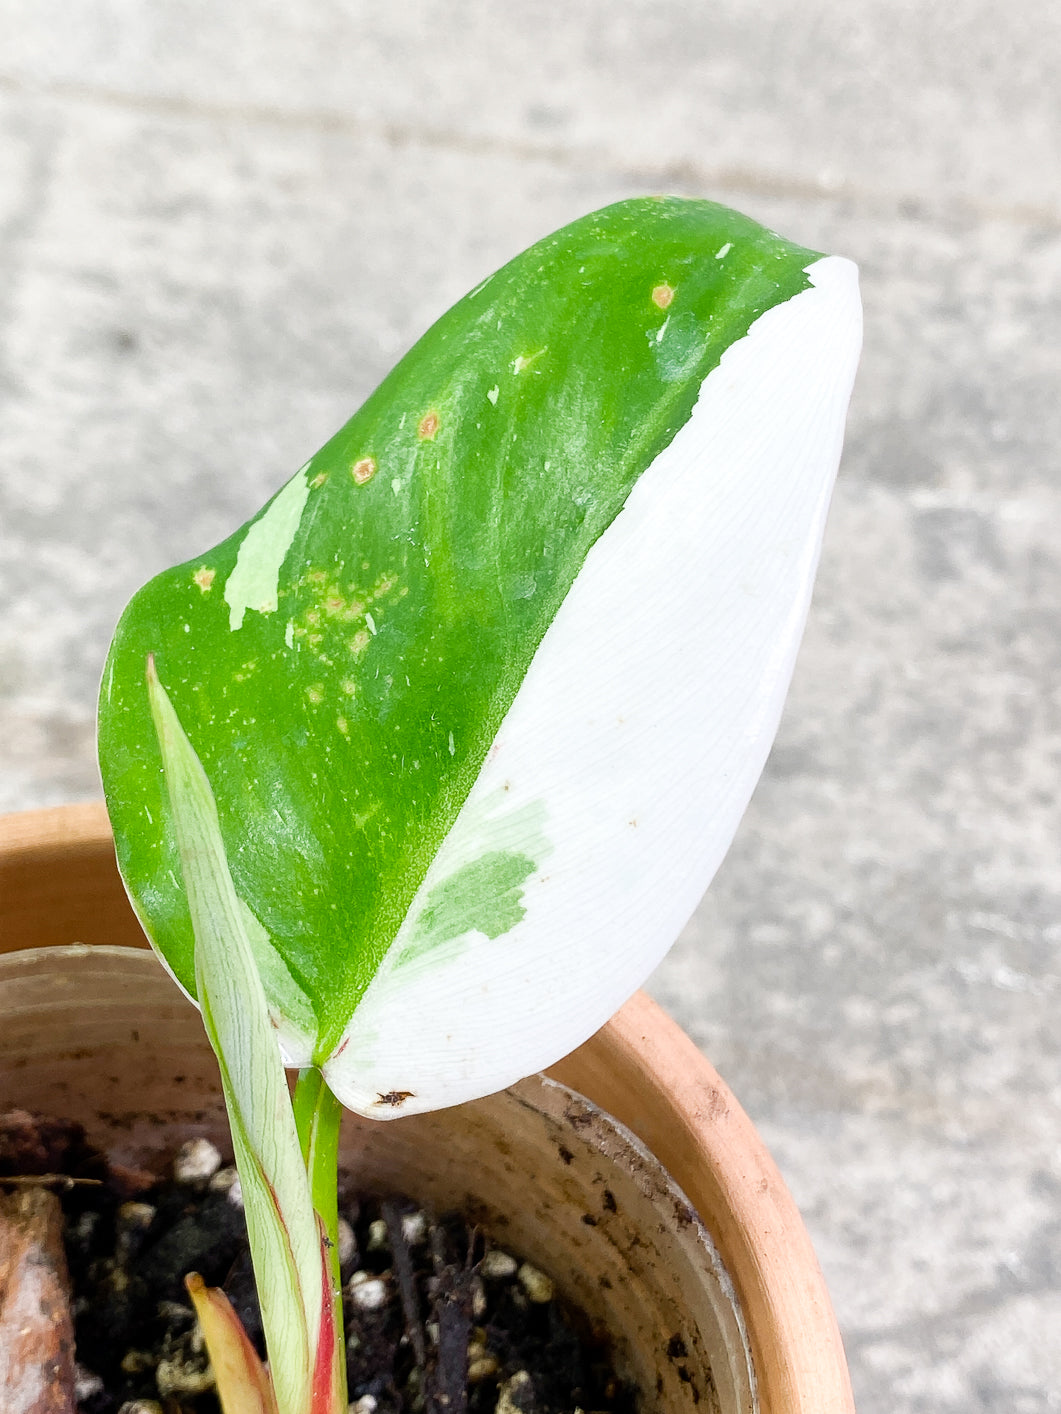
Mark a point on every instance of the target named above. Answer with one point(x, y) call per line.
point(438, 1317)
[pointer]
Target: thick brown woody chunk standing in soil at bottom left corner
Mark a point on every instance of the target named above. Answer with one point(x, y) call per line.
point(36, 1328)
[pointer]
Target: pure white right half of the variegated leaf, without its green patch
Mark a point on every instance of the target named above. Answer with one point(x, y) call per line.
point(640, 732)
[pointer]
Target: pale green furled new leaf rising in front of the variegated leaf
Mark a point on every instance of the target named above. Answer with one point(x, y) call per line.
point(282, 1227)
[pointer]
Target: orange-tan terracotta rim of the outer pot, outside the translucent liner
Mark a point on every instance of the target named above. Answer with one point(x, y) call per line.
point(642, 1068)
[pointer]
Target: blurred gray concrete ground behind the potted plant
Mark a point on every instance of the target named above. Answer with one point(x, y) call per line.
point(220, 226)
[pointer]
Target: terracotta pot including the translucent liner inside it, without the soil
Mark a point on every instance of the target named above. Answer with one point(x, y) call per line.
point(701, 1269)
